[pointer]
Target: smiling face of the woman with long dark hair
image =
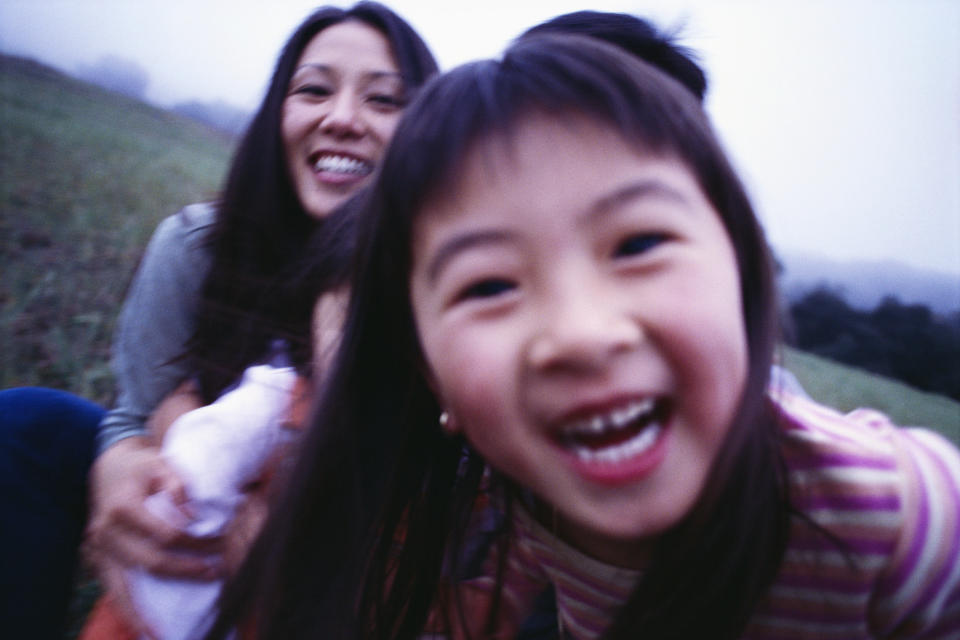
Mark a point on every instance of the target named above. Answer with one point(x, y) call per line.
point(343, 103)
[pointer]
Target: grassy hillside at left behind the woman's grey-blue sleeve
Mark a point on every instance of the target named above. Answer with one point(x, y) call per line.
point(85, 176)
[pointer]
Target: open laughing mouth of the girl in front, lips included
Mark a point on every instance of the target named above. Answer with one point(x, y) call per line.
point(618, 445)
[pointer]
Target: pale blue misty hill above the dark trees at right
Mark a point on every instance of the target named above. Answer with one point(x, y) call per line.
point(864, 284)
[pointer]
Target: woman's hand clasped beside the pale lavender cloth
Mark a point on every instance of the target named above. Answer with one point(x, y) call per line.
point(123, 534)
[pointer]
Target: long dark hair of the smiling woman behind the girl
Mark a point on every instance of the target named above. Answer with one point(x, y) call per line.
point(261, 227)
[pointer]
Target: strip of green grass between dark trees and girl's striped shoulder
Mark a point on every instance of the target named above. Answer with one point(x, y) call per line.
point(846, 388)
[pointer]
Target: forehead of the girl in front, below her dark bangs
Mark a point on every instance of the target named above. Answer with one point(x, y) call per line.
point(547, 171)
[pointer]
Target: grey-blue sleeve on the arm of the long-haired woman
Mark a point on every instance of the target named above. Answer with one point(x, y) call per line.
point(156, 321)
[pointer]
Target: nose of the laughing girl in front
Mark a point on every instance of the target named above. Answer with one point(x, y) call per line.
point(584, 332)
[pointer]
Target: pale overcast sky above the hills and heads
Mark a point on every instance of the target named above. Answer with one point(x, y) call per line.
point(843, 116)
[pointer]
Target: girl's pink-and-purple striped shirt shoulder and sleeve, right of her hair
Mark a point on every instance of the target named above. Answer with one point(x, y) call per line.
point(877, 521)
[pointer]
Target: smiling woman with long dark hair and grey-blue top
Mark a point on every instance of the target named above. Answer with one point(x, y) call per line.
point(220, 288)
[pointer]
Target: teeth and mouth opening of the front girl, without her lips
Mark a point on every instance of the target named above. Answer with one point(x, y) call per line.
point(615, 435)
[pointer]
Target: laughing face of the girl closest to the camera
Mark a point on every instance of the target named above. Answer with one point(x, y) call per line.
point(578, 304)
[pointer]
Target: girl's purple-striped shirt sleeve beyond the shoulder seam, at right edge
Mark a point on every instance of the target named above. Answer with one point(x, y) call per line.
point(919, 594)
